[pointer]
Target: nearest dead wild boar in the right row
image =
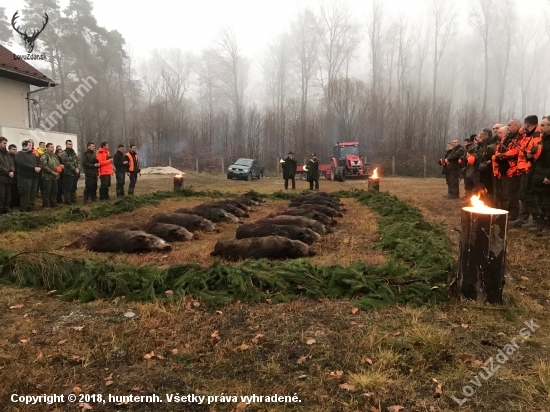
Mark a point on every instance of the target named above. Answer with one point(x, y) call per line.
point(269, 247)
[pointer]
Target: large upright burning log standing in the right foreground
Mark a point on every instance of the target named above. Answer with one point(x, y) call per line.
point(482, 253)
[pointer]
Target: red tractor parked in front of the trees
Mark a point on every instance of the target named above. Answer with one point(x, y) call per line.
point(346, 162)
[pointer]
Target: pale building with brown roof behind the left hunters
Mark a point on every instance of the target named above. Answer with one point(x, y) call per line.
point(16, 79)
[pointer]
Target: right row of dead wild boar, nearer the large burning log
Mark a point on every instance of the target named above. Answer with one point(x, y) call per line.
point(287, 234)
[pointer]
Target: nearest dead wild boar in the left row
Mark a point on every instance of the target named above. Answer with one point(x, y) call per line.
point(120, 240)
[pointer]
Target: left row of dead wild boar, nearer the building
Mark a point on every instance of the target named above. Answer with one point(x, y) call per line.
point(164, 228)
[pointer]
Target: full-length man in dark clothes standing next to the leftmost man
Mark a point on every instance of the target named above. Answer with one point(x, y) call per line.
point(27, 175)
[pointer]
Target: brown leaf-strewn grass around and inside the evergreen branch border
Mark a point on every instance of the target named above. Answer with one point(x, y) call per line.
point(331, 356)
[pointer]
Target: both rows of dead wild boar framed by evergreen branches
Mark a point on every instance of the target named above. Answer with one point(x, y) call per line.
point(281, 235)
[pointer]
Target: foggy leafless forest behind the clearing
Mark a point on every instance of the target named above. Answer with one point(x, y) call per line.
point(424, 83)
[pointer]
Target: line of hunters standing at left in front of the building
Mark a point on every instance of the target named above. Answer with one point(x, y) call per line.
point(55, 172)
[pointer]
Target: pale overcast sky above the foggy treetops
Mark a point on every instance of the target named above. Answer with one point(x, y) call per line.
point(192, 24)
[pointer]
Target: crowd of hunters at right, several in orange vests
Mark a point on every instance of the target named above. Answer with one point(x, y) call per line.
point(509, 167)
